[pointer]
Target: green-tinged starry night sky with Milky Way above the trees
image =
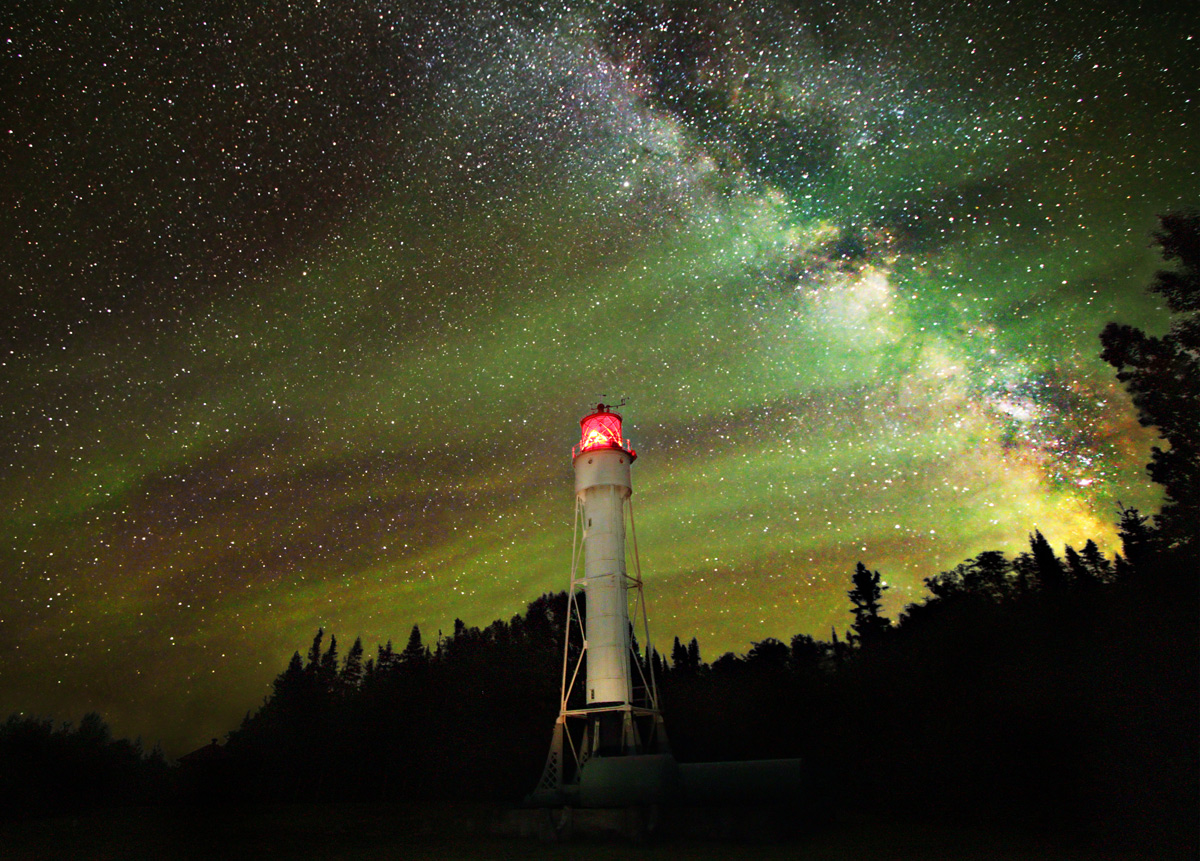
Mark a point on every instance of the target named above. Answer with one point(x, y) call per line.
point(305, 302)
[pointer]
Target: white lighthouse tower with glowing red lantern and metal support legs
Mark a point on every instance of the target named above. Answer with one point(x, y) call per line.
point(609, 746)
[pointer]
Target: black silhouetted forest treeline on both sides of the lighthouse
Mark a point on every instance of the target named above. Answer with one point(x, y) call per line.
point(1042, 689)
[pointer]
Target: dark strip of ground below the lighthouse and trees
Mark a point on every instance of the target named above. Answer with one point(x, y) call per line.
point(380, 833)
